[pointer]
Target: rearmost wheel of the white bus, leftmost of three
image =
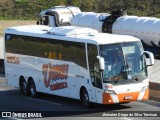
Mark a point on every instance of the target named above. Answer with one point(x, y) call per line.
point(24, 87)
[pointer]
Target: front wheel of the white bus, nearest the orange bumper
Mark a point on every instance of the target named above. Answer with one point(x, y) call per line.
point(85, 98)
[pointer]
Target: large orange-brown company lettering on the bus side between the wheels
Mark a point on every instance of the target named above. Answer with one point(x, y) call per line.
point(55, 73)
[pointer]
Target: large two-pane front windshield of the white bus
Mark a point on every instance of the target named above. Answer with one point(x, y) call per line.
point(123, 62)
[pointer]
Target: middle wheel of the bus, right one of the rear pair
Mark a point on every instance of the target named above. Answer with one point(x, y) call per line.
point(32, 89)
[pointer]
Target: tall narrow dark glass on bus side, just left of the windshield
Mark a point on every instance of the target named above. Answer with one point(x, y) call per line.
point(93, 64)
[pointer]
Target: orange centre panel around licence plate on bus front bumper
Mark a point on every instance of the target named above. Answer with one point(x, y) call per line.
point(122, 96)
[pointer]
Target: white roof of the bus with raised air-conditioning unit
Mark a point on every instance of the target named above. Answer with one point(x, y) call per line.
point(70, 33)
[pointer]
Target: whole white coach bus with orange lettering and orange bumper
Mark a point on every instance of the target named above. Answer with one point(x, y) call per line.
point(78, 63)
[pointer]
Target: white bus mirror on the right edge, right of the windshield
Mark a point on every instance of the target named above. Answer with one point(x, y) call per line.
point(150, 56)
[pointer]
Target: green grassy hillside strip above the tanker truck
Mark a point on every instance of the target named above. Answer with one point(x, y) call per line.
point(29, 9)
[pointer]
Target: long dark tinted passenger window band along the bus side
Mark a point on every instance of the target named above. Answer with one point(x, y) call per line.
point(47, 48)
